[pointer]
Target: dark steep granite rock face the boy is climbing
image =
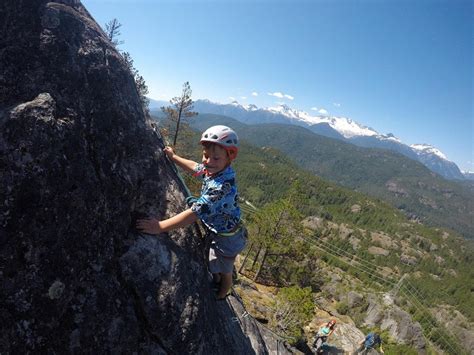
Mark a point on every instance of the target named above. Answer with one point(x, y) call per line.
point(78, 161)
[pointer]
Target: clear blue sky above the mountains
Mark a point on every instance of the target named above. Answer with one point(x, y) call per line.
point(403, 67)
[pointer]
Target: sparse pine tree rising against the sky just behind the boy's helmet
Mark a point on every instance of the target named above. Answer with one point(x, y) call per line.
point(180, 108)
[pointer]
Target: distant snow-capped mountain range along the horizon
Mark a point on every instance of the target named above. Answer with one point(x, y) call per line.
point(335, 127)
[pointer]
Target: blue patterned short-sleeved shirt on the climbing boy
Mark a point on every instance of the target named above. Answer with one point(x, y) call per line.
point(218, 207)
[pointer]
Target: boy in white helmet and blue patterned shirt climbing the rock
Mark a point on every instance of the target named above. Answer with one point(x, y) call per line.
point(217, 207)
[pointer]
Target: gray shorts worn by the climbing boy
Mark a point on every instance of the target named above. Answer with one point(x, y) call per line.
point(223, 251)
